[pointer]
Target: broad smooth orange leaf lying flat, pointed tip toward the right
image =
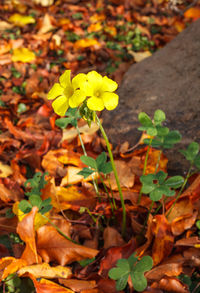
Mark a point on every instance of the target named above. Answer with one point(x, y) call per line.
point(54, 247)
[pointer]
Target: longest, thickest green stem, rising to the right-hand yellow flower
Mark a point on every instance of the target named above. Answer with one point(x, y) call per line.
point(115, 173)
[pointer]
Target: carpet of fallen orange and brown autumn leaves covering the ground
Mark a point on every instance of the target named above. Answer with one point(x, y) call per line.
point(39, 40)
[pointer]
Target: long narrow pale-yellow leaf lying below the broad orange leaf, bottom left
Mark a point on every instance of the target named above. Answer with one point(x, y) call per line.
point(44, 270)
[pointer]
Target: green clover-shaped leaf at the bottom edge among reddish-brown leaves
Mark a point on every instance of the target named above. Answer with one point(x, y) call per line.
point(134, 268)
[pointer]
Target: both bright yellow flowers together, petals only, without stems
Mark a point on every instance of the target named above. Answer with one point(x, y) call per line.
point(98, 90)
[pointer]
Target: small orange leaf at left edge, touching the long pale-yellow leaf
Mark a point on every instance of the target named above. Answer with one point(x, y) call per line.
point(10, 266)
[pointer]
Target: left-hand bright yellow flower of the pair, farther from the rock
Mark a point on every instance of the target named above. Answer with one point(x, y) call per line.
point(67, 93)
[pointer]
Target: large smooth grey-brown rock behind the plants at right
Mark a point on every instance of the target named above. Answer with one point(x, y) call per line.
point(168, 80)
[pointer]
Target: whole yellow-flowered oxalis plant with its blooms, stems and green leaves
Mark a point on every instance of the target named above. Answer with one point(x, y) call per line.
point(88, 93)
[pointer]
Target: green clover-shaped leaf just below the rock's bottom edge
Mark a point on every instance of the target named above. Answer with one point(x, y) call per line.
point(156, 185)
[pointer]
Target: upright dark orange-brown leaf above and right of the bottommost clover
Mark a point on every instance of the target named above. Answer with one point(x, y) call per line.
point(163, 243)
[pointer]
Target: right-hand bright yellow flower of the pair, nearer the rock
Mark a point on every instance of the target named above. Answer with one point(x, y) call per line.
point(100, 91)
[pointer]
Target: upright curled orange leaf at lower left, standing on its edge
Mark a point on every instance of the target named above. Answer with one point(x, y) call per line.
point(26, 231)
